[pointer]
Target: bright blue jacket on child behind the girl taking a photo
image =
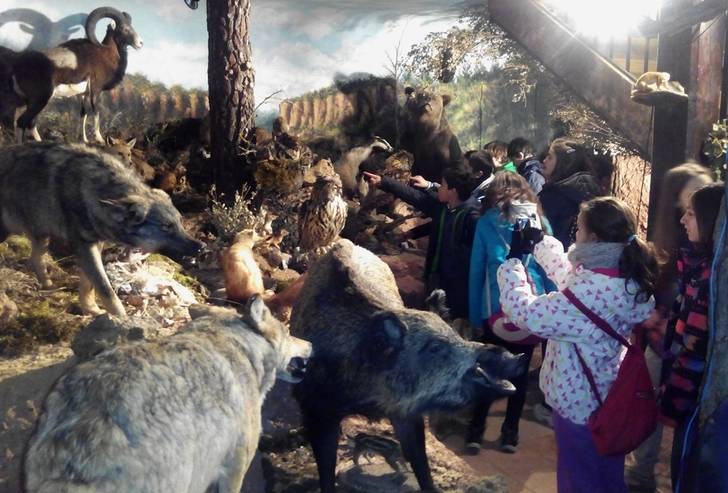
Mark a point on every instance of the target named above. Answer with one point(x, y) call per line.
point(491, 244)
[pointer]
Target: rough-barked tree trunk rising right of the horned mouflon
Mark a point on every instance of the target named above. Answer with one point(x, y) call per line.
point(230, 79)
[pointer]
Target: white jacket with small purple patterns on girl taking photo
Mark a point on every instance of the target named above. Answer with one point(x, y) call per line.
point(553, 317)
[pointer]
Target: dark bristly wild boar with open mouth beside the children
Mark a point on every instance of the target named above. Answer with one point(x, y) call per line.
point(376, 358)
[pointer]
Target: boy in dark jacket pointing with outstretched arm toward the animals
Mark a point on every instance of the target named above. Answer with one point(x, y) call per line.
point(451, 234)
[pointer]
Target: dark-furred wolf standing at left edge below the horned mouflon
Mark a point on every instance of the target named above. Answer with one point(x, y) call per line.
point(81, 196)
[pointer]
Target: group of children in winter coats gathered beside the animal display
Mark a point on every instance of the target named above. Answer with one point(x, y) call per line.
point(520, 243)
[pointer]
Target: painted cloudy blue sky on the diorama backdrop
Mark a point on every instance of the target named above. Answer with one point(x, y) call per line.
point(298, 45)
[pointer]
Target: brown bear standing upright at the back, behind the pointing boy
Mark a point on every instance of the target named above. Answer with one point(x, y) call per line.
point(427, 134)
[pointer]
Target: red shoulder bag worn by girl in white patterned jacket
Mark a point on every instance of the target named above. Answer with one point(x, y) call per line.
point(629, 413)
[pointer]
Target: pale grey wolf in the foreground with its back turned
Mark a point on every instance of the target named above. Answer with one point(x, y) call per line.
point(178, 415)
